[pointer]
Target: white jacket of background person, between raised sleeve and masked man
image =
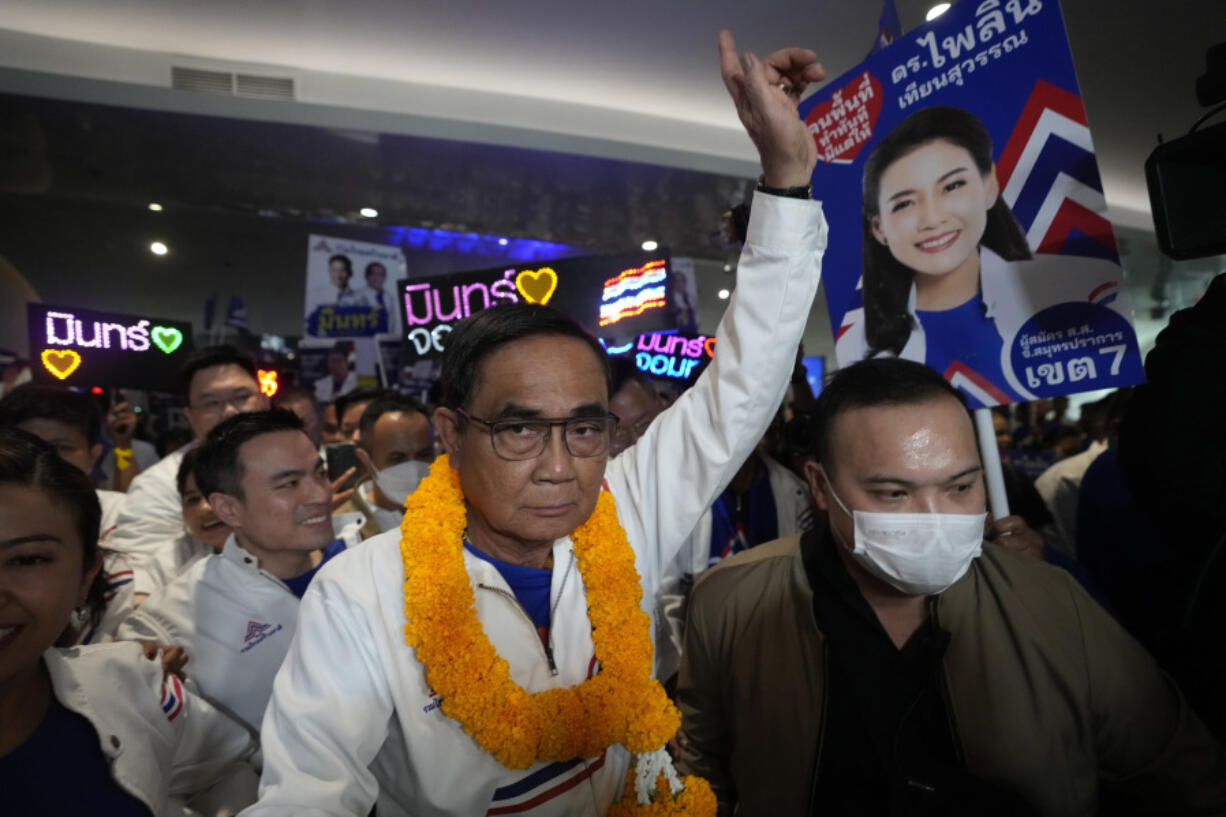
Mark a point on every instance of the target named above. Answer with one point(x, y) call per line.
point(794, 513)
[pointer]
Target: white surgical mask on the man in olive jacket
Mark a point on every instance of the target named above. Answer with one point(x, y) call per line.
point(920, 555)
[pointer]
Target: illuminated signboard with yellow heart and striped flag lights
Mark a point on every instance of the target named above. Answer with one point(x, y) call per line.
point(610, 295)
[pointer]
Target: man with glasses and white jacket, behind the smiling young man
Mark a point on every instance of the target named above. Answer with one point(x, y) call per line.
point(219, 382)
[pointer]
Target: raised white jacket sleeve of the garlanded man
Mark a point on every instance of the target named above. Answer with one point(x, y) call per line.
point(691, 453)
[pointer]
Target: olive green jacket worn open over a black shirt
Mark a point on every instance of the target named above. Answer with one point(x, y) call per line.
point(1050, 696)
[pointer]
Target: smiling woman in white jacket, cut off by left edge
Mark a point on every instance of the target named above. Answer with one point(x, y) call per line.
point(90, 731)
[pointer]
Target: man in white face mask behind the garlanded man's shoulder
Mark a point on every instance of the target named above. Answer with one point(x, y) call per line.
point(395, 447)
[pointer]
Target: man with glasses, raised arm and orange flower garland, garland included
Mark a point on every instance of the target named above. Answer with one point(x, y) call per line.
point(493, 656)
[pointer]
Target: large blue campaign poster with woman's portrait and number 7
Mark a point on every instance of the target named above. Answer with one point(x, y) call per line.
point(968, 224)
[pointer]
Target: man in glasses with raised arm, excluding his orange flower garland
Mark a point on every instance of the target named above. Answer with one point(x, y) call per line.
point(354, 722)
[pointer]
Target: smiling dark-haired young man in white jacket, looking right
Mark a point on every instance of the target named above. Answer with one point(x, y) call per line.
point(236, 613)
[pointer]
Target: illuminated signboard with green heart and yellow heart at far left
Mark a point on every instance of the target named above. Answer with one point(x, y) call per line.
point(84, 348)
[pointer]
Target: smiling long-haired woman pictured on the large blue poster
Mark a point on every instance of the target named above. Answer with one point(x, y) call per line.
point(948, 274)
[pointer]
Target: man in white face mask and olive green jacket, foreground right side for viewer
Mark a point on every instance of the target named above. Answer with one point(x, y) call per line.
point(892, 663)
